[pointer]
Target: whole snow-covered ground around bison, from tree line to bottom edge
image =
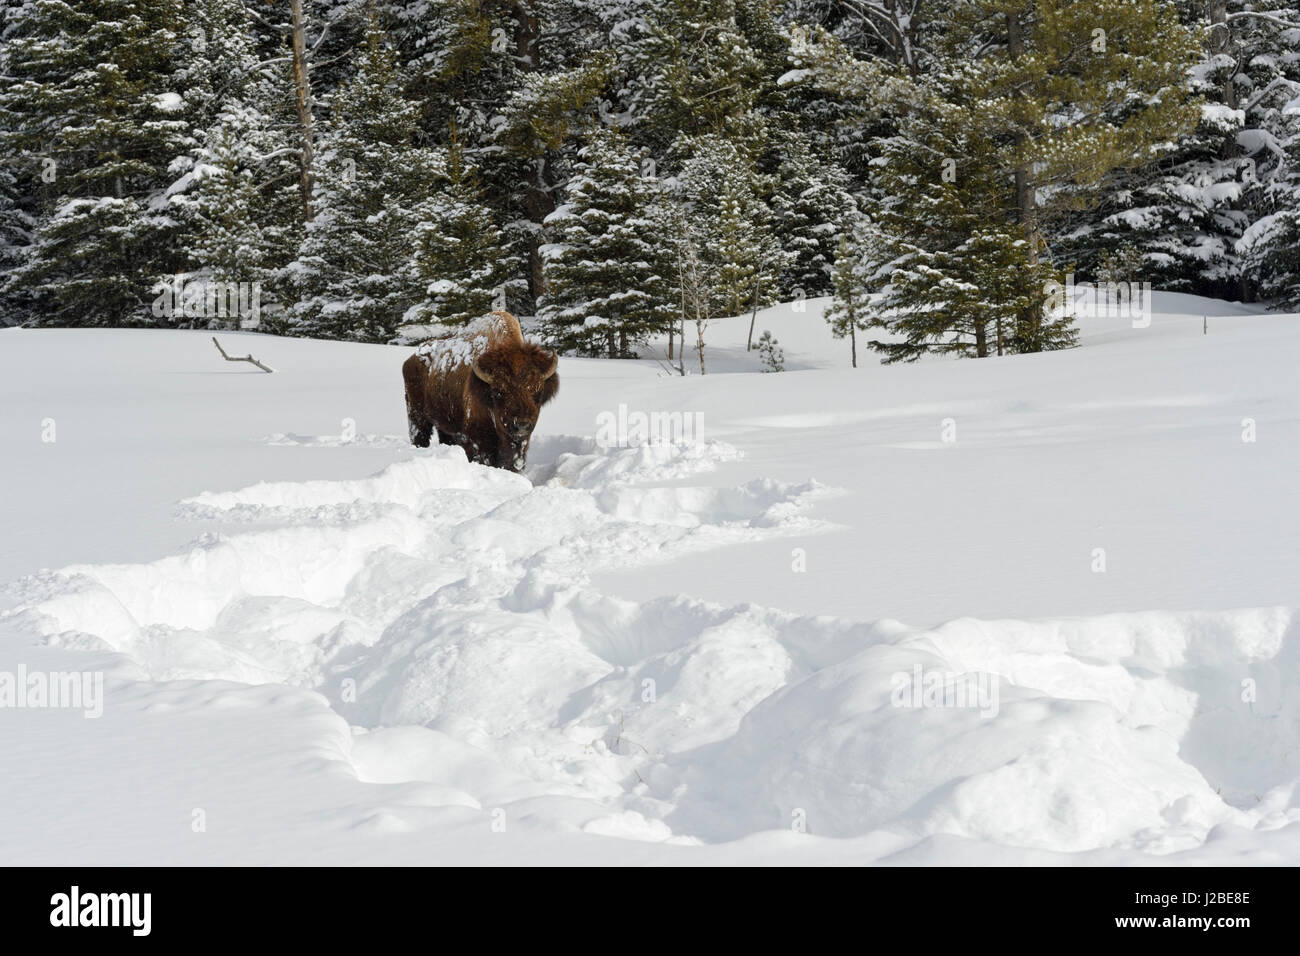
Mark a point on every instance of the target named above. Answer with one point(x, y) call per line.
point(324, 646)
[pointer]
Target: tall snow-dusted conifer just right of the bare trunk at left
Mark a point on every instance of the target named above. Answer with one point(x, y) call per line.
point(357, 270)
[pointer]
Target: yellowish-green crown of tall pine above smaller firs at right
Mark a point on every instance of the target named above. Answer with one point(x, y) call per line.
point(1068, 92)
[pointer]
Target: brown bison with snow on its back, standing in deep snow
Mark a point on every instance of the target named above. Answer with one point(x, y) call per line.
point(482, 388)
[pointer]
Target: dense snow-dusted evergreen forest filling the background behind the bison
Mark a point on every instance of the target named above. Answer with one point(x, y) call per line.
point(141, 140)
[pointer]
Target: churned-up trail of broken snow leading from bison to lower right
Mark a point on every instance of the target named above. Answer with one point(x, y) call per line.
point(447, 613)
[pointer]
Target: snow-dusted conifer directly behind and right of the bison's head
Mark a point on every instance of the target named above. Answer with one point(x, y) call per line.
point(606, 279)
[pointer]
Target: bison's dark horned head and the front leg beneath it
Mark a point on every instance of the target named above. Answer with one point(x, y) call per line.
point(513, 383)
